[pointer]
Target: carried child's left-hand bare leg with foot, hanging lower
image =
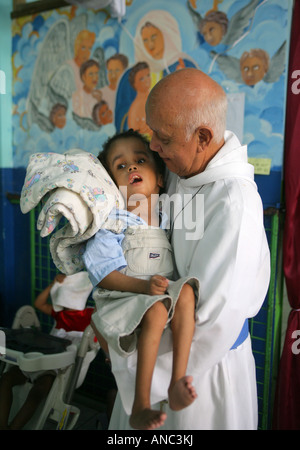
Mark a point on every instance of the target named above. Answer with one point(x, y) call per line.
point(142, 416)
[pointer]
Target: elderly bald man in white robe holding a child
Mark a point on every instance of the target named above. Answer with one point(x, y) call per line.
point(186, 112)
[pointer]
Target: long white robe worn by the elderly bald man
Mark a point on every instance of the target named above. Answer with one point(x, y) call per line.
point(232, 261)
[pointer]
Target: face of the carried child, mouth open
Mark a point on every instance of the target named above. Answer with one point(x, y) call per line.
point(132, 165)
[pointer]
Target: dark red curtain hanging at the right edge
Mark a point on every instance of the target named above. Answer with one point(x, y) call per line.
point(287, 400)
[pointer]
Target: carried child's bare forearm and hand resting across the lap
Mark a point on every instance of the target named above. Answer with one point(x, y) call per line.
point(115, 280)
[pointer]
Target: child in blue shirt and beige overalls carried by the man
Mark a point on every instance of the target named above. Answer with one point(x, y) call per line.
point(134, 298)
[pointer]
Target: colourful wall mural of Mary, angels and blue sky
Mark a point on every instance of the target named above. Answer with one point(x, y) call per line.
point(80, 75)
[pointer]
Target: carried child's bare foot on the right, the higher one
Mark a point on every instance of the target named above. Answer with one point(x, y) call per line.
point(182, 393)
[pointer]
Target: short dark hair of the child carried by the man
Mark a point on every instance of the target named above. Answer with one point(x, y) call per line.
point(103, 155)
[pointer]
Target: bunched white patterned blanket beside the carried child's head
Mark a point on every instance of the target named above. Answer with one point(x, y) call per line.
point(76, 186)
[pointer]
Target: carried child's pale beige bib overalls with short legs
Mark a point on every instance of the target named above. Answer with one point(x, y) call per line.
point(118, 314)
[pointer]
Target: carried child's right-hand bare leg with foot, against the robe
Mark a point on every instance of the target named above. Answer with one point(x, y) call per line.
point(181, 390)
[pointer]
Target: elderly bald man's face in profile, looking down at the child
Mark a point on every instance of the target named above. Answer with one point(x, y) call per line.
point(169, 141)
